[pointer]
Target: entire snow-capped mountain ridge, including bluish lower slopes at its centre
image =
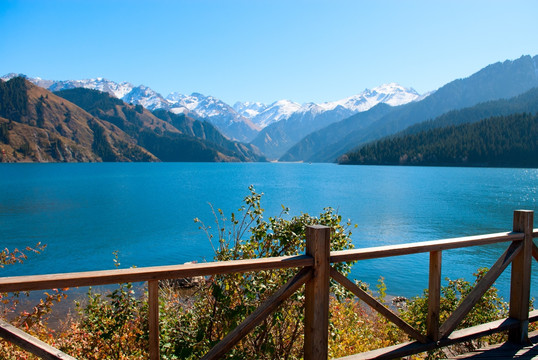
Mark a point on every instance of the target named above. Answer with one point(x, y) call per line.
point(236, 121)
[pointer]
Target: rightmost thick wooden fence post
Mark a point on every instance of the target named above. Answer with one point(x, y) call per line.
point(521, 278)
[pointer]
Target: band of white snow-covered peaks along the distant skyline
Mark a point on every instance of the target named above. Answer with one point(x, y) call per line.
point(255, 114)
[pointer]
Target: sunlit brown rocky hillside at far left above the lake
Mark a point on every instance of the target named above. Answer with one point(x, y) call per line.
point(37, 125)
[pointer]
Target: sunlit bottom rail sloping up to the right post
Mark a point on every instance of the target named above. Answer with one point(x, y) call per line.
point(415, 347)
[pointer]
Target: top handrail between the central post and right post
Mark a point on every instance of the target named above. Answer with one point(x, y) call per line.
point(421, 247)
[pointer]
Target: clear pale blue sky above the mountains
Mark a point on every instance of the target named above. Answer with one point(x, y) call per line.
point(258, 50)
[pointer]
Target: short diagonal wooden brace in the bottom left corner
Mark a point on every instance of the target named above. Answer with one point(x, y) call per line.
point(30, 343)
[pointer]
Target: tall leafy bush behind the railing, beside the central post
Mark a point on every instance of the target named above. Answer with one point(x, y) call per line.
point(226, 300)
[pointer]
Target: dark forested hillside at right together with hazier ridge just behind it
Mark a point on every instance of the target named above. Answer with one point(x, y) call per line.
point(500, 133)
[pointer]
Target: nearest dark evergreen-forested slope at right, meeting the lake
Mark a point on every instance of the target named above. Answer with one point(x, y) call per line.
point(504, 141)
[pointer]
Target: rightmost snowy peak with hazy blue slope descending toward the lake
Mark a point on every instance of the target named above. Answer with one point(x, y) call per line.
point(294, 121)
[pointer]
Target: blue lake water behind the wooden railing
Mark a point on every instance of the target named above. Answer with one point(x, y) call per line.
point(84, 212)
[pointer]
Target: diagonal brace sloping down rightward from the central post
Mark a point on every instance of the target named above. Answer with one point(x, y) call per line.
point(377, 306)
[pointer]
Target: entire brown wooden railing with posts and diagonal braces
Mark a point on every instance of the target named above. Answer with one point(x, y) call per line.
point(315, 272)
